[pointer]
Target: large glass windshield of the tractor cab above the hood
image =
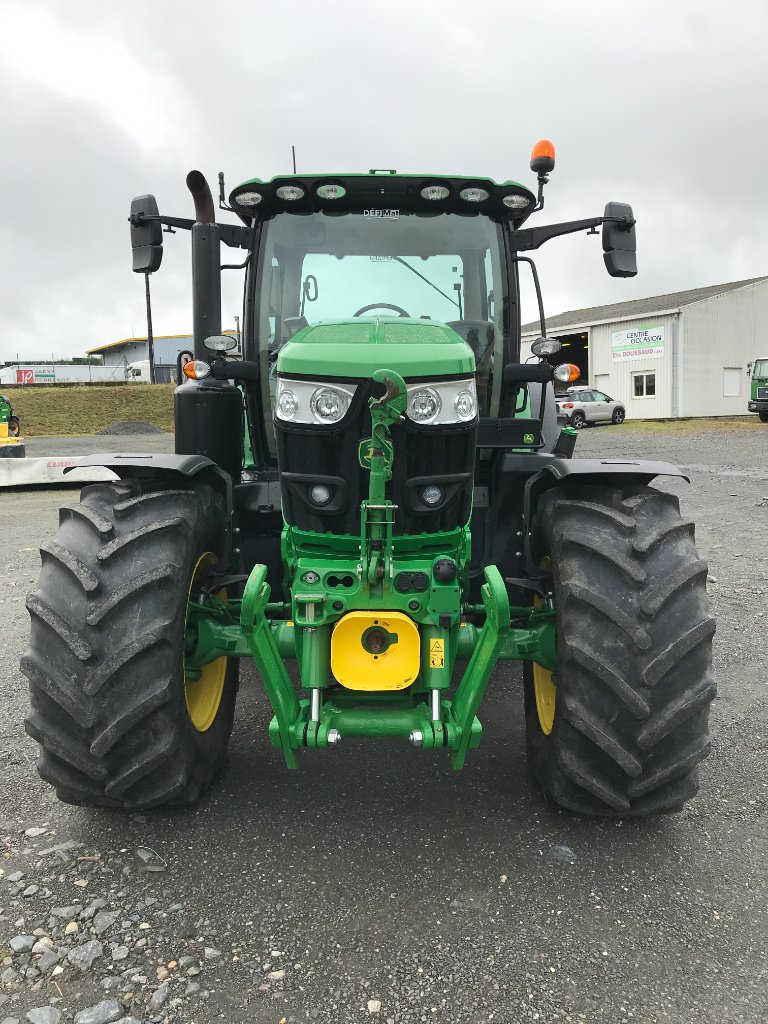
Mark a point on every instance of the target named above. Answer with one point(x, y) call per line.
point(439, 267)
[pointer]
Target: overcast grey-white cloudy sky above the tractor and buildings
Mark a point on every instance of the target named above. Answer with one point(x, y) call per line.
point(661, 105)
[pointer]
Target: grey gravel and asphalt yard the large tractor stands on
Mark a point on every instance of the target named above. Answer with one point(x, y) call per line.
point(374, 884)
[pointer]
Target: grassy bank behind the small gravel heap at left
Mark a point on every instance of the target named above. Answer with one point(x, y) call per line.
point(60, 412)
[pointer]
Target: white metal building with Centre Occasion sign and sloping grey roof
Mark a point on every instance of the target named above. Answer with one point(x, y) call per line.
point(669, 356)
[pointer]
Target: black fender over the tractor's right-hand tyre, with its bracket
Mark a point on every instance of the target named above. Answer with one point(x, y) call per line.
point(552, 472)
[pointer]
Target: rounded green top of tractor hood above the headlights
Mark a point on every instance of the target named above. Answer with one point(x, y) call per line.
point(359, 348)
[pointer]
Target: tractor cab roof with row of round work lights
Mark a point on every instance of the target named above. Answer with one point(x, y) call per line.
point(386, 192)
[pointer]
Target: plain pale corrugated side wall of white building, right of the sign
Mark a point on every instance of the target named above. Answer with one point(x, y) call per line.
point(719, 337)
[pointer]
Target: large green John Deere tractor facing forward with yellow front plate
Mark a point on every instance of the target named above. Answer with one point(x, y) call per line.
point(379, 492)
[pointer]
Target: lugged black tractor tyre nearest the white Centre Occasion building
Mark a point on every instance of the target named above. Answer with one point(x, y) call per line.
point(622, 727)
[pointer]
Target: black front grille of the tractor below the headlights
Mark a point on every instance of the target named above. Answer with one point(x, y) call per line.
point(423, 456)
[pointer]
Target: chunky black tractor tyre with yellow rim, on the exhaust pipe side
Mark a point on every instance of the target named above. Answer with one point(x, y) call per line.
point(117, 722)
